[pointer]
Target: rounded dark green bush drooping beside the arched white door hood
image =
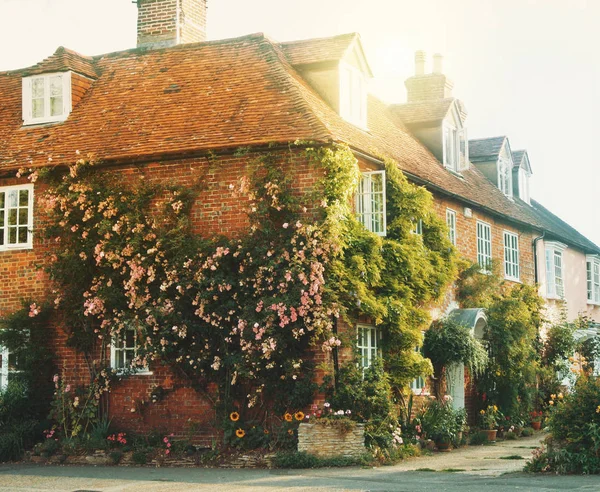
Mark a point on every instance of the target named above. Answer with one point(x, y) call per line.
point(447, 342)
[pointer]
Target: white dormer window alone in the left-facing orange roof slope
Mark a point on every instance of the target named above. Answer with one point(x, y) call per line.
point(46, 98)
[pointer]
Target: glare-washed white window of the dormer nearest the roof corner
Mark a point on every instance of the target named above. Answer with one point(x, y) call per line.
point(353, 95)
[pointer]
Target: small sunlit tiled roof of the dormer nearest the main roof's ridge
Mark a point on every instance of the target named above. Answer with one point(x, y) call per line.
point(318, 50)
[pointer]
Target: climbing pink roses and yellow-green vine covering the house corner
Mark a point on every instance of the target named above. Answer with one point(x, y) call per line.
point(243, 312)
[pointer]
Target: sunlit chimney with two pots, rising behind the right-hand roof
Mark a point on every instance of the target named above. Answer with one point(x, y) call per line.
point(427, 87)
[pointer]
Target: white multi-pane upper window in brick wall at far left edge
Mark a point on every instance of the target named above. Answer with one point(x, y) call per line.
point(16, 217)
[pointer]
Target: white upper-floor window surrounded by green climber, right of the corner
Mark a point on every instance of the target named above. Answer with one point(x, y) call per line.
point(370, 201)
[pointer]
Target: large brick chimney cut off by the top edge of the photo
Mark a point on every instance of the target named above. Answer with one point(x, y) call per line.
point(163, 23)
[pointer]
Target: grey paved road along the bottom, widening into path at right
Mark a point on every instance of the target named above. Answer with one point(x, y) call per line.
point(475, 469)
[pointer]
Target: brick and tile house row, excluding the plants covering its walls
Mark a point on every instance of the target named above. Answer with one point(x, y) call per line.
point(180, 107)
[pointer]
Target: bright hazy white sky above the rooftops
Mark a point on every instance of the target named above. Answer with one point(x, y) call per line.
point(529, 69)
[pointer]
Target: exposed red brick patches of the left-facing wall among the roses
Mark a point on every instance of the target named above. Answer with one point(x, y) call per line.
point(219, 209)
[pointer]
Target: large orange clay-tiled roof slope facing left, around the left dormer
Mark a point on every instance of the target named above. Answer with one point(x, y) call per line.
point(211, 95)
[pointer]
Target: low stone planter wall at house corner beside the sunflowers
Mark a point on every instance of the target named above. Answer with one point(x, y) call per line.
point(329, 441)
